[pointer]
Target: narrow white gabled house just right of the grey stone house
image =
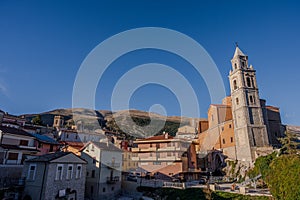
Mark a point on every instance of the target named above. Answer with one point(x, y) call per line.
point(104, 168)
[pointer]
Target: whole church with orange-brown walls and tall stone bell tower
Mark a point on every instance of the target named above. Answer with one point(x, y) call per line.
point(243, 127)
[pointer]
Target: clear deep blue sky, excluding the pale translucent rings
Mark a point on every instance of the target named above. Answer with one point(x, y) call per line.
point(43, 43)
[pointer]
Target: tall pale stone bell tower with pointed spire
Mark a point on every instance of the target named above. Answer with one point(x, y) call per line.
point(249, 128)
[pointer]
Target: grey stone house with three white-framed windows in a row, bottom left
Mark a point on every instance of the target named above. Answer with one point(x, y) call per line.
point(52, 176)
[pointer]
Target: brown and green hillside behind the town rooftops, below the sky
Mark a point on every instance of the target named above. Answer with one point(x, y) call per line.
point(133, 122)
